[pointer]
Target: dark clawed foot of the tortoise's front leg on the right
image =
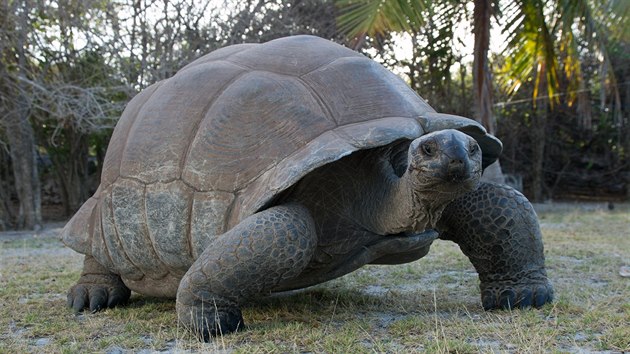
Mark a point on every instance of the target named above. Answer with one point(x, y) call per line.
point(507, 295)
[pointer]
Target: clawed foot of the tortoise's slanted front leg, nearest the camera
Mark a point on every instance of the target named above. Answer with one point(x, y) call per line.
point(206, 319)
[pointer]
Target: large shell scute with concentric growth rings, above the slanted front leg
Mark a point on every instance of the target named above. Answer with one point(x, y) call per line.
point(256, 122)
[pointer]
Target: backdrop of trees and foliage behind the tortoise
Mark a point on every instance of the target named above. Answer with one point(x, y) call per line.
point(559, 80)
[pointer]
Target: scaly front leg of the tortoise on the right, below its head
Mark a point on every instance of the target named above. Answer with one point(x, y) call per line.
point(497, 228)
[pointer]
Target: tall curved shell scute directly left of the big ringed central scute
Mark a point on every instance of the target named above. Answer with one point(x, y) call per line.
point(161, 134)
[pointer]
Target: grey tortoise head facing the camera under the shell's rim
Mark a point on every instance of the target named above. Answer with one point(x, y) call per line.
point(446, 162)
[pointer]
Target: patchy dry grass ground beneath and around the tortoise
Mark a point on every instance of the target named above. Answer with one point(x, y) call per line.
point(430, 305)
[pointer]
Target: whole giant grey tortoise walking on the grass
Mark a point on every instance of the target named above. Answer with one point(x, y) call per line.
point(261, 168)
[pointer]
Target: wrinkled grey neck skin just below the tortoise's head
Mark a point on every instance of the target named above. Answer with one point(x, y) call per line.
point(404, 206)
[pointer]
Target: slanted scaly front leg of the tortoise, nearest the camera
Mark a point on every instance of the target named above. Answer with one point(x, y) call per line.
point(247, 261)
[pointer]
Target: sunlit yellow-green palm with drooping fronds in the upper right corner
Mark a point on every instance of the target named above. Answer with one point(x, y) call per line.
point(547, 41)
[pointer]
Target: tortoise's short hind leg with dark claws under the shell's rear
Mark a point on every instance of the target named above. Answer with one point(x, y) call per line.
point(97, 288)
